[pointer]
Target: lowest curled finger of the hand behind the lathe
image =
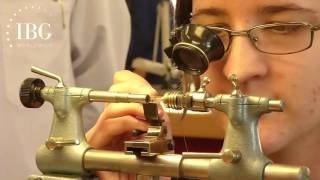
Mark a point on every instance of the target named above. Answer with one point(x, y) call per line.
point(102, 133)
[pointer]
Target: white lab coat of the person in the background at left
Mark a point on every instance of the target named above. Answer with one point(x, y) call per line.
point(86, 53)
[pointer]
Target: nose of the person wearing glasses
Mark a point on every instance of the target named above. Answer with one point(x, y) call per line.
point(244, 60)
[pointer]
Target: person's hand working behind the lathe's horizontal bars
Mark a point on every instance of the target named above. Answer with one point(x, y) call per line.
point(117, 121)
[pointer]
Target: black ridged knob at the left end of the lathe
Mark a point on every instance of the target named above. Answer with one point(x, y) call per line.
point(30, 93)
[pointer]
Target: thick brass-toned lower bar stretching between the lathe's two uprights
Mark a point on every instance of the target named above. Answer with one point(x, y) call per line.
point(161, 165)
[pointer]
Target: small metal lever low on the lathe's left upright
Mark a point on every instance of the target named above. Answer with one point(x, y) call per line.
point(54, 143)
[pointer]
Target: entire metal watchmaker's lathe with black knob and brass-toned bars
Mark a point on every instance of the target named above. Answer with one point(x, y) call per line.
point(67, 155)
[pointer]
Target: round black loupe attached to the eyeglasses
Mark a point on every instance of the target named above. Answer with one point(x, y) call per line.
point(194, 47)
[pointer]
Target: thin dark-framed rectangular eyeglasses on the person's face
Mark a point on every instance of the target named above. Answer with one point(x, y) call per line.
point(275, 38)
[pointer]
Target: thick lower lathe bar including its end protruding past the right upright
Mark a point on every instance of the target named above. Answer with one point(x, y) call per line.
point(174, 165)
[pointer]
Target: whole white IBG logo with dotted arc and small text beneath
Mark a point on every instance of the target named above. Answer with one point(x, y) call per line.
point(30, 26)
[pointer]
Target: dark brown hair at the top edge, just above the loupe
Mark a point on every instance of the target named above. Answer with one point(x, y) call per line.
point(183, 12)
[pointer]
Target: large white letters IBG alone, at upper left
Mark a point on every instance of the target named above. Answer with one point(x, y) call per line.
point(31, 31)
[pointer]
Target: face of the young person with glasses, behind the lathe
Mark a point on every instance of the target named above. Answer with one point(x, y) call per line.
point(293, 78)
